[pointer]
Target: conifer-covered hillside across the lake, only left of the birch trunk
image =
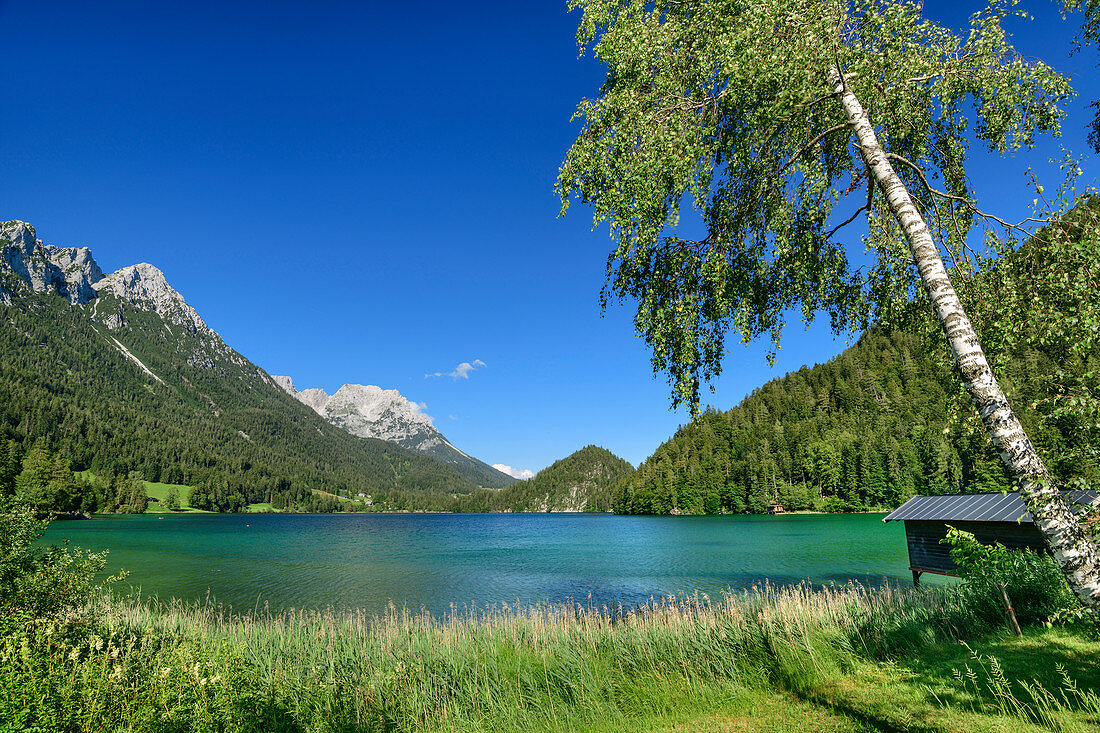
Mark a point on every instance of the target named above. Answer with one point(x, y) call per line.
point(865, 430)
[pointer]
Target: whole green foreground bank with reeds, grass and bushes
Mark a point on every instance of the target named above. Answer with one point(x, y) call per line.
point(844, 659)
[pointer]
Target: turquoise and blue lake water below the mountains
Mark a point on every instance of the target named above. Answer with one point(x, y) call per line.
point(434, 562)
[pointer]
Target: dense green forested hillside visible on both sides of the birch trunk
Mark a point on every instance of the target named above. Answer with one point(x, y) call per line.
point(887, 420)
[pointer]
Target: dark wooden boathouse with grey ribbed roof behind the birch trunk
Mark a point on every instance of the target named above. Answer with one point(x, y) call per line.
point(989, 518)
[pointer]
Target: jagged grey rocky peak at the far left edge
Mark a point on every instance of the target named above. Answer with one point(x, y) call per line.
point(25, 260)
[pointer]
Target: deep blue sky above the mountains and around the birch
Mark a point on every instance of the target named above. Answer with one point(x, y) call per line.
point(365, 193)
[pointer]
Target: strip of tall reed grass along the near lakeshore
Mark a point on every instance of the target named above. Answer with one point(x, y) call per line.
point(540, 666)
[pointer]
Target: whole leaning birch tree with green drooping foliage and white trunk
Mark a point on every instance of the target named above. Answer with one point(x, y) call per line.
point(784, 124)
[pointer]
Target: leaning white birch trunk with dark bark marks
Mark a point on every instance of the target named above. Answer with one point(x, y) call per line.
point(1074, 551)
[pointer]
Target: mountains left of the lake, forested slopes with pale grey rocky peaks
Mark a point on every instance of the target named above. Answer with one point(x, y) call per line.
point(124, 376)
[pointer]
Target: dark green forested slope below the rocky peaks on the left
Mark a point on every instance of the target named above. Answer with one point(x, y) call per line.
point(206, 420)
